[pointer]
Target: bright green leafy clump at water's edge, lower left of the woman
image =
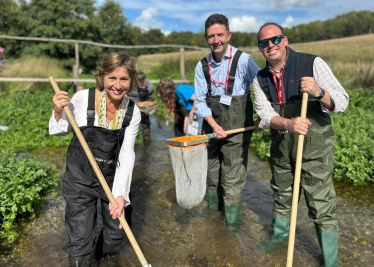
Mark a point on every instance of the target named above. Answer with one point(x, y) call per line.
point(24, 184)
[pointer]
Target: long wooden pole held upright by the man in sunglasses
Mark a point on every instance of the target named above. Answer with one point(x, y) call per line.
point(296, 186)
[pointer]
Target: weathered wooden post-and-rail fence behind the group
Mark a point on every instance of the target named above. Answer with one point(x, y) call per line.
point(76, 79)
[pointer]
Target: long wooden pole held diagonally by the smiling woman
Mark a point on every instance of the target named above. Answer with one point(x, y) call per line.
point(99, 174)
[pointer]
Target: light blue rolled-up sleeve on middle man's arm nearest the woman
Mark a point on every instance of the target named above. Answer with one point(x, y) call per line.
point(201, 90)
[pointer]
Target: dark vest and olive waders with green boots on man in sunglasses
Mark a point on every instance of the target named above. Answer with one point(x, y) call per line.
point(317, 164)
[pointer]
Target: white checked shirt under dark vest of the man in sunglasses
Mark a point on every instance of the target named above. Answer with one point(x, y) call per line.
point(325, 79)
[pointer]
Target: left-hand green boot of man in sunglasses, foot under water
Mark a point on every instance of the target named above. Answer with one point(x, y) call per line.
point(281, 229)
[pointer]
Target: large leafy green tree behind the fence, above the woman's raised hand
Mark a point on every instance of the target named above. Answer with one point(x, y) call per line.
point(63, 19)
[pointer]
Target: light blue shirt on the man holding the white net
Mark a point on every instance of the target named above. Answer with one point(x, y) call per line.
point(245, 74)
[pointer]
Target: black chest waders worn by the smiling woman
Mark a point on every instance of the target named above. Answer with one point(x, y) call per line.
point(82, 190)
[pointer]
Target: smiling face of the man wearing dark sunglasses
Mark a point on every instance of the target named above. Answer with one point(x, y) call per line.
point(274, 54)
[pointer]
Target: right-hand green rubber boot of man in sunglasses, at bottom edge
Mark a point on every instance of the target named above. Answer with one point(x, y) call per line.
point(329, 246)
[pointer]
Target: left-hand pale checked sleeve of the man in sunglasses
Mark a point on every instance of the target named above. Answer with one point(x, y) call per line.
point(263, 107)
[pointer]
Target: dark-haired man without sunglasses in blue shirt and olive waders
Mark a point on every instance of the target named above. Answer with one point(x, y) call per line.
point(222, 81)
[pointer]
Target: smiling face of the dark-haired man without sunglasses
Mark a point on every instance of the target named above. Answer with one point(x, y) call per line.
point(218, 40)
